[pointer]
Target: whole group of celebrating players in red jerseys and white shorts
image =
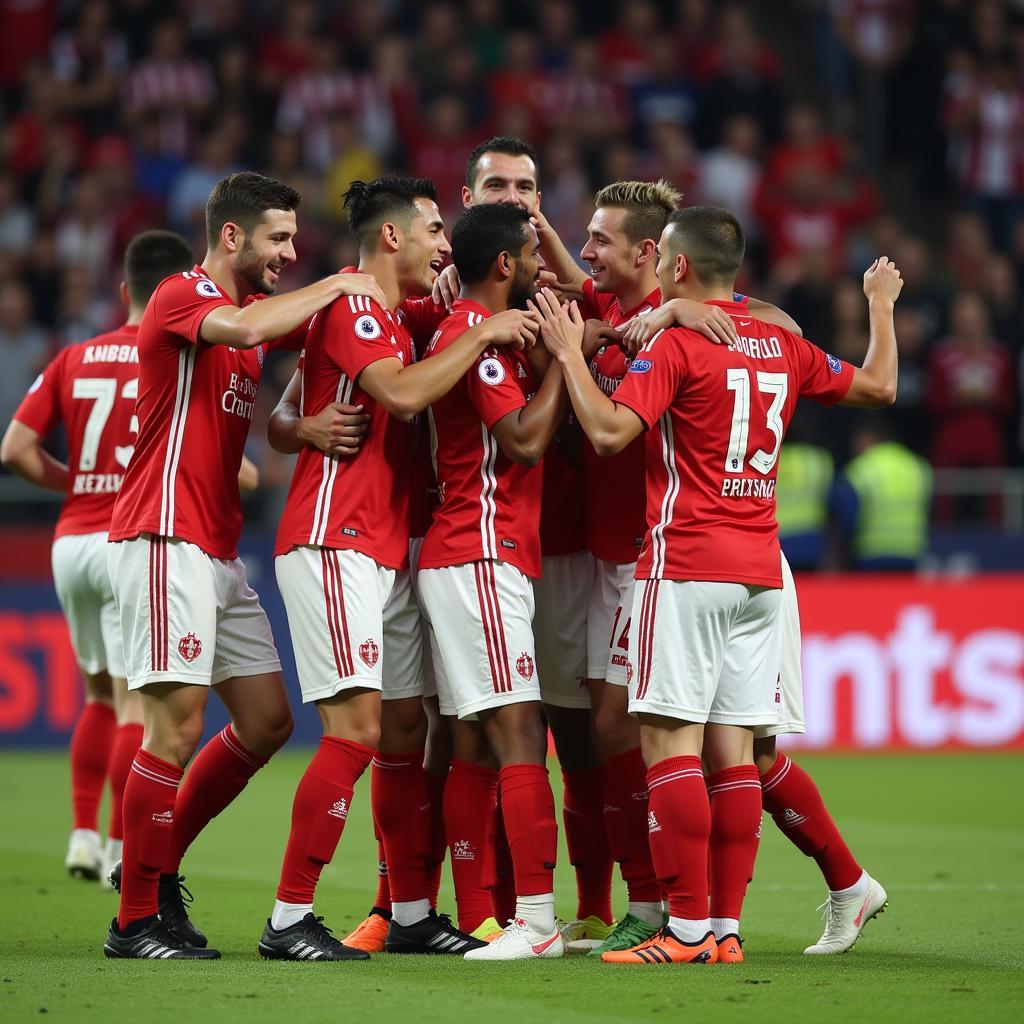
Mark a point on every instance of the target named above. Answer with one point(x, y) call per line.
point(526, 498)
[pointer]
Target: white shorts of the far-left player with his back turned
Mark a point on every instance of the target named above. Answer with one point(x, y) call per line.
point(83, 587)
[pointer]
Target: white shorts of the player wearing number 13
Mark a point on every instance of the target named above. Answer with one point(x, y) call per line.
point(706, 652)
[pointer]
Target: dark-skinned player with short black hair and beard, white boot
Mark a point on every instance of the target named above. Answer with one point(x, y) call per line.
point(482, 551)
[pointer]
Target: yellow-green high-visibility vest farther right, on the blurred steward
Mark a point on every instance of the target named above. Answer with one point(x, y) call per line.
point(894, 488)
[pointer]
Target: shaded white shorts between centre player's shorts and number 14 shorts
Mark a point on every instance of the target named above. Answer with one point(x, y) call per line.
point(563, 596)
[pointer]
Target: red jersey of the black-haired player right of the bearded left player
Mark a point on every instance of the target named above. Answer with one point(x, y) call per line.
point(360, 502)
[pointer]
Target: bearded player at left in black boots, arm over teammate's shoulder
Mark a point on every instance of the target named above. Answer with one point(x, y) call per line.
point(189, 620)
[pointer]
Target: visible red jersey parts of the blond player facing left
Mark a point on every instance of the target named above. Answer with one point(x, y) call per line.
point(615, 489)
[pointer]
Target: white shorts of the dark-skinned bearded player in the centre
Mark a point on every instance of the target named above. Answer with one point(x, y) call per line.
point(482, 615)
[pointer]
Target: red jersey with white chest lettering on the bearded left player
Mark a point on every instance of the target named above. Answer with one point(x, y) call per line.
point(195, 407)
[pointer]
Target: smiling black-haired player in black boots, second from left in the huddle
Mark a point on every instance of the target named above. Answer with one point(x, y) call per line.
point(343, 560)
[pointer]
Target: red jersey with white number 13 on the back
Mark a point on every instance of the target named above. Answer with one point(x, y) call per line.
point(716, 417)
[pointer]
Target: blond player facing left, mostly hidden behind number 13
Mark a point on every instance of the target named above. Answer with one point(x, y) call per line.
point(622, 289)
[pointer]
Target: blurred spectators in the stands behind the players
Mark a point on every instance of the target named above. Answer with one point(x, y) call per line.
point(835, 130)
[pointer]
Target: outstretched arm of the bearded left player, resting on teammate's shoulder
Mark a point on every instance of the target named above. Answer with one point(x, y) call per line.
point(258, 323)
